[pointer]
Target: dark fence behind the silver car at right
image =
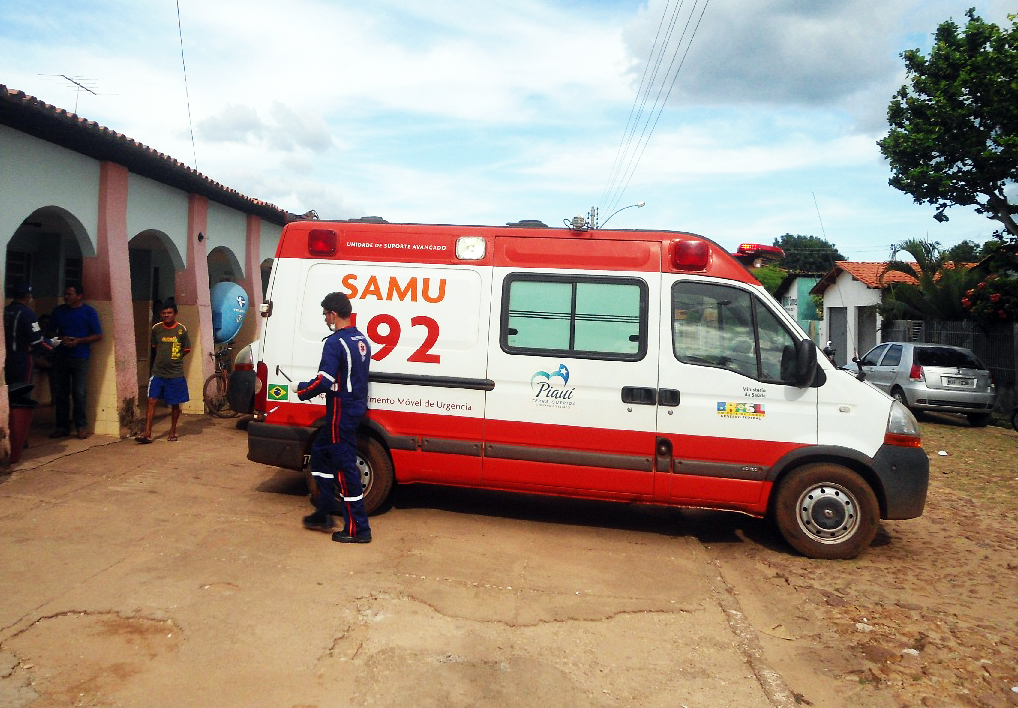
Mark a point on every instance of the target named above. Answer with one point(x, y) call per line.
point(996, 347)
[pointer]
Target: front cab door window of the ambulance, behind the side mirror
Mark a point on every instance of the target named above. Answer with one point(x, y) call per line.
point(728, 329)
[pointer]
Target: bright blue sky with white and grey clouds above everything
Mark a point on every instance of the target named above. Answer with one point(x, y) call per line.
point(455, 112)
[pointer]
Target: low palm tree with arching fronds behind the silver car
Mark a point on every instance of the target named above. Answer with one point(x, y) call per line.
point(939, 288)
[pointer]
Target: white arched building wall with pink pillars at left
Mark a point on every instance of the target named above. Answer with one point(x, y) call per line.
point(127, 227)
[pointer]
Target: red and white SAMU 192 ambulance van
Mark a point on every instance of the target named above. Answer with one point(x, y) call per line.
point(643, 367)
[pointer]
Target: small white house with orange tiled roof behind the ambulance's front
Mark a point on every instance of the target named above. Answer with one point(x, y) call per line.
point(852, 295)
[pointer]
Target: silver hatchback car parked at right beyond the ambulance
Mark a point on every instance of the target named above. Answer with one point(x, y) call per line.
point(933, 377)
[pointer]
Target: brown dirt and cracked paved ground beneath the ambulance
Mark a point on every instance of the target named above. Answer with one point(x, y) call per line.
point(178, 575)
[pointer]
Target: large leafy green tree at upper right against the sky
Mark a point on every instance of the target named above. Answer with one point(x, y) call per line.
point(954, 127)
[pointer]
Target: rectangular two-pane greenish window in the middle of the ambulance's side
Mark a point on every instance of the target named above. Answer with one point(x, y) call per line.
point(583, 317)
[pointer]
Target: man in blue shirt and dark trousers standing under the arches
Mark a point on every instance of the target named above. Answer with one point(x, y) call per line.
point(77, 326)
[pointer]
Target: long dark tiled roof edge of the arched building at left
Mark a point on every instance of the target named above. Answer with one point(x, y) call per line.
point(40, 120)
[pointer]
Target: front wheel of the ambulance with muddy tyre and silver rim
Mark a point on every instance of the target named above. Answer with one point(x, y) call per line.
point(826, 511)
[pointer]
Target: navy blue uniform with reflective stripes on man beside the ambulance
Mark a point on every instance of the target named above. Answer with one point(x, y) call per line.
point(343, 377)
